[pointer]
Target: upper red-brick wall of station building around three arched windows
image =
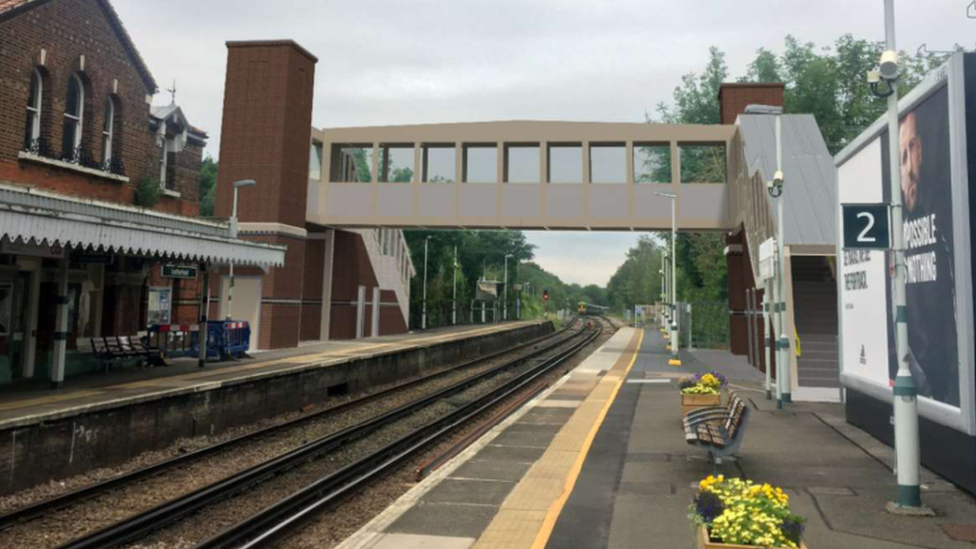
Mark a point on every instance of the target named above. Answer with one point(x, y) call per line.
point(67, 30)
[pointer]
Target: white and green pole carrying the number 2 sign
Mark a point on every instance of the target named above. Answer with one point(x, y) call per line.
point(905, 390)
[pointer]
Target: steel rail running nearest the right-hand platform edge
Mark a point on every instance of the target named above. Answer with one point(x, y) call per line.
point(267, 526)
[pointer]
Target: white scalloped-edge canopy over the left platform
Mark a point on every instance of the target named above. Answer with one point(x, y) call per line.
point(31, 216)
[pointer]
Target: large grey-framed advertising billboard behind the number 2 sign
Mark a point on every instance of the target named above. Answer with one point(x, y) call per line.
point(935, 196)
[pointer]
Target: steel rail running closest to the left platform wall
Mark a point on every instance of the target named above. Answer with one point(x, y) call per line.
point(35, 510)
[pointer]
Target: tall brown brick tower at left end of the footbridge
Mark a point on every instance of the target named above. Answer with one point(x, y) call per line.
point(265, 136)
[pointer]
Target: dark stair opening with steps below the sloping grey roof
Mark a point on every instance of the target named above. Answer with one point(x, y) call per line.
point(815, 305)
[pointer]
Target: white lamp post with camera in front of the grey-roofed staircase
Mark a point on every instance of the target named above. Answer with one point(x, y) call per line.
point(775, 189)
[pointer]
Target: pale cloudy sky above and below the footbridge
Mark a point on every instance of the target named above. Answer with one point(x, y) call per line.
point(428, 61)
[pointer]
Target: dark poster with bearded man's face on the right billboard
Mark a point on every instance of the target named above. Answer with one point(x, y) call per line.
point(926, 192)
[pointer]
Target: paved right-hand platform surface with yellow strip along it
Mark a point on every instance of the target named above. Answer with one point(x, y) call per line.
point(599, 460)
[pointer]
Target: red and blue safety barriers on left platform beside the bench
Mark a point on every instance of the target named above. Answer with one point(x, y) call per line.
point(225, 339)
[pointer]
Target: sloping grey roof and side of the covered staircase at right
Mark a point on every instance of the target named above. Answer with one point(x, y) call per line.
point(810, 176)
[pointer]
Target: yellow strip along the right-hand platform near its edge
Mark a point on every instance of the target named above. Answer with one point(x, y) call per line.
point(528, 515)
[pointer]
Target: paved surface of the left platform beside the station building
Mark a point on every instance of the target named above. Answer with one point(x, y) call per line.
point(25, 402)
